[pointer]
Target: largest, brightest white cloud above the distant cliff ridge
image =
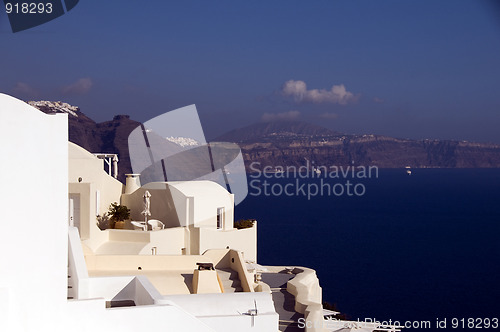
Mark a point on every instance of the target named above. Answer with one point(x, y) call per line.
point(336, 95)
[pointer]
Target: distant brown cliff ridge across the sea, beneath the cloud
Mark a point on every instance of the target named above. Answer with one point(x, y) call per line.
point(276, 146)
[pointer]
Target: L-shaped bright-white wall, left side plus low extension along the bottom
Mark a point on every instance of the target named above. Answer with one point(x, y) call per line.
point(34, 237)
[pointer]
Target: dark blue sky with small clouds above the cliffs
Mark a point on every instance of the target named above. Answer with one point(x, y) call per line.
point(417, 69)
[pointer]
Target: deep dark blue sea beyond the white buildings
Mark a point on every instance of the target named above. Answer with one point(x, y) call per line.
point(420, 247)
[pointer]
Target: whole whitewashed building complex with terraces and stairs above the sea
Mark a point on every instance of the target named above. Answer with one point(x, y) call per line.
point(60, 272)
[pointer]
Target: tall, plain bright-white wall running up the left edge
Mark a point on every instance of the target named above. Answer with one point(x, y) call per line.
point(33, 218)
